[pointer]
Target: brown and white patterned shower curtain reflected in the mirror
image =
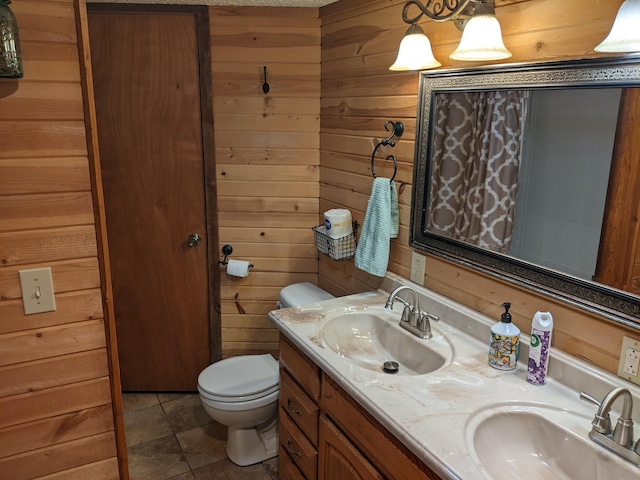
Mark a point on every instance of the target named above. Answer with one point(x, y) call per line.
point(476, 155)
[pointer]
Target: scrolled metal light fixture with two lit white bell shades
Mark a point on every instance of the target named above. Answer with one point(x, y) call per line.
point(481, 38)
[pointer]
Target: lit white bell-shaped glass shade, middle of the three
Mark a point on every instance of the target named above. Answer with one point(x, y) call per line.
point(481, 41)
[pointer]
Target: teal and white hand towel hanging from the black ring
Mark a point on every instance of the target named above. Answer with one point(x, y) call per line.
point(380, 225)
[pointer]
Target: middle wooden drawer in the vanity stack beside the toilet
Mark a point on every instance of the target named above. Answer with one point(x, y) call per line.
point(300, 408)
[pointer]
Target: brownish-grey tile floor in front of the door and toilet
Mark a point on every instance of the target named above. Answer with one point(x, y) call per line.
point(170, 436)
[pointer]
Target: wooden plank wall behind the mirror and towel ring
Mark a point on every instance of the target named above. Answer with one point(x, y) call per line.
point(359, 42)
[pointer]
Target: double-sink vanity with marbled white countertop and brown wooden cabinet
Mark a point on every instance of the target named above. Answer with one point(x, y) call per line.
point(446, 414)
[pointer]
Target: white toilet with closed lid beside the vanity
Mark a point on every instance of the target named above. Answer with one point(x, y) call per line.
point(242, 392)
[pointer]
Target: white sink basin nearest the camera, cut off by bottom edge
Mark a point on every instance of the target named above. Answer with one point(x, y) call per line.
point(532, 442)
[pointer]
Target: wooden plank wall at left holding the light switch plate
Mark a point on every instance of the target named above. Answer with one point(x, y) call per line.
point(55, 393)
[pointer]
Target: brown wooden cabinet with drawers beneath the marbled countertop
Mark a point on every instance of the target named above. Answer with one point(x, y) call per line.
point(326, 435)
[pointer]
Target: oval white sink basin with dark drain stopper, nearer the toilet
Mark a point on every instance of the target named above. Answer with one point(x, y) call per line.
point(371, 337)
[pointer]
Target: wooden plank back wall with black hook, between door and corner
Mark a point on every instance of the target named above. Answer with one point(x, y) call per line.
point(267, 160)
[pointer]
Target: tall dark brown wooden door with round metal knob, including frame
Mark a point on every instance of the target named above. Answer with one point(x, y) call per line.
point(151, 71)
